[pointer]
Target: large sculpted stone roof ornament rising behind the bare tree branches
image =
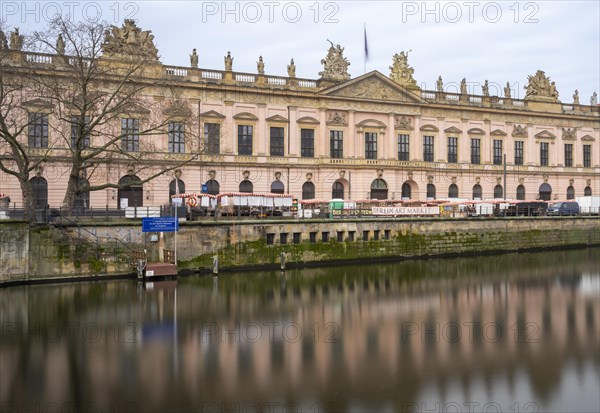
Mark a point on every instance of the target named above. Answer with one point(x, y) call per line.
point(129, 42)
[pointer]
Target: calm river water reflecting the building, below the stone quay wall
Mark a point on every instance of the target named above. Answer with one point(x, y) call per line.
point(515, 333)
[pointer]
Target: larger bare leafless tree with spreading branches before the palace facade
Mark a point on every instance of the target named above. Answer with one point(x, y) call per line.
point(101, 83)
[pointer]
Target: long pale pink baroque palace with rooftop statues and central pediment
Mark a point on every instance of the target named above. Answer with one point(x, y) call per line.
point(373, 136)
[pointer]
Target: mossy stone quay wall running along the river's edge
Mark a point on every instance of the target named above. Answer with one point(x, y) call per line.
point(36, 253)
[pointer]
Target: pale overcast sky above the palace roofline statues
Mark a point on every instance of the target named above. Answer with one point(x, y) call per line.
point(495, 40)
